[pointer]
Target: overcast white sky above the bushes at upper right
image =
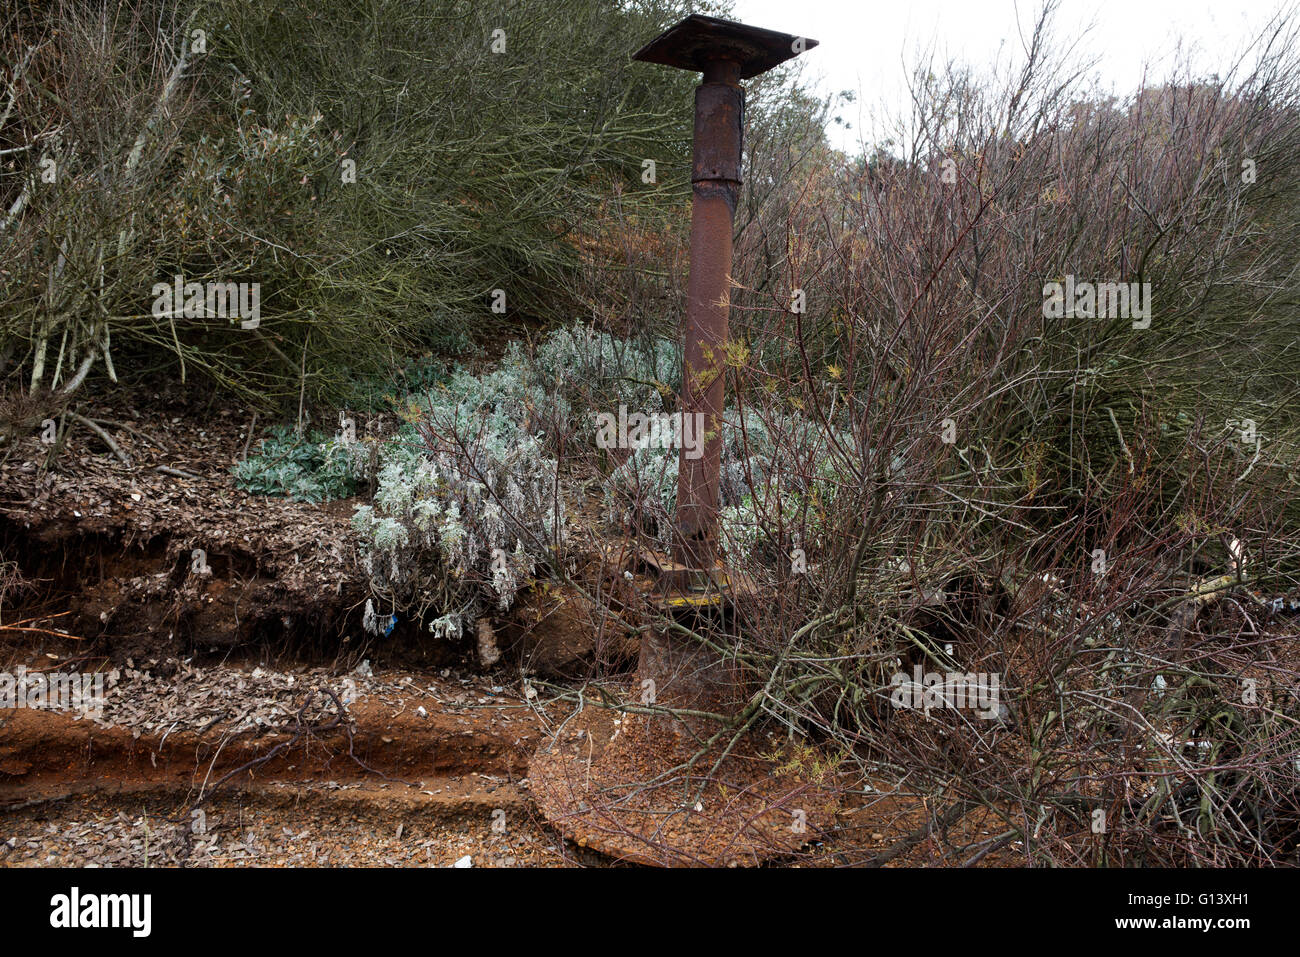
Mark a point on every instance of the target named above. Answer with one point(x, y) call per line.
point(865, 44)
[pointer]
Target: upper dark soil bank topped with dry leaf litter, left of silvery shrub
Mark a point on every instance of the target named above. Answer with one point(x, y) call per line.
point(168, 562)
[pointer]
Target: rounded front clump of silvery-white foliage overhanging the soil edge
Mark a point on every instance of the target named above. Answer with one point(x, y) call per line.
point(469, 500)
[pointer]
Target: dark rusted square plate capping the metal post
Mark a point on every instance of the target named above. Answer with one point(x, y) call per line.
point(697, 41)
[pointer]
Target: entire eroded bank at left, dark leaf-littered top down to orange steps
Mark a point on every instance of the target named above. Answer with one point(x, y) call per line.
point(240, 685)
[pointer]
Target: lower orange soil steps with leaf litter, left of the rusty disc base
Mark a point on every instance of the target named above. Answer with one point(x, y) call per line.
point(423, 772)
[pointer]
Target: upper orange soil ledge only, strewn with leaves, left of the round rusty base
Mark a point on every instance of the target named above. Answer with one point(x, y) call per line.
point(432, 729)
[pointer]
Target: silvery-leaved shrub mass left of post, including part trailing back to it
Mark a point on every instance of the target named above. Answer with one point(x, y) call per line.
point(469, 503)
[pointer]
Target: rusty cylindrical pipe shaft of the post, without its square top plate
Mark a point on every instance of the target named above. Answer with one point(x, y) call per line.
point(716, 189)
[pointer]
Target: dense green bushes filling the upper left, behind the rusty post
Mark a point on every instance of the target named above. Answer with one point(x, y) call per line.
point(380, 170)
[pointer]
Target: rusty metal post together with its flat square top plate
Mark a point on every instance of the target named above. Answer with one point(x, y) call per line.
point(726, 53)
